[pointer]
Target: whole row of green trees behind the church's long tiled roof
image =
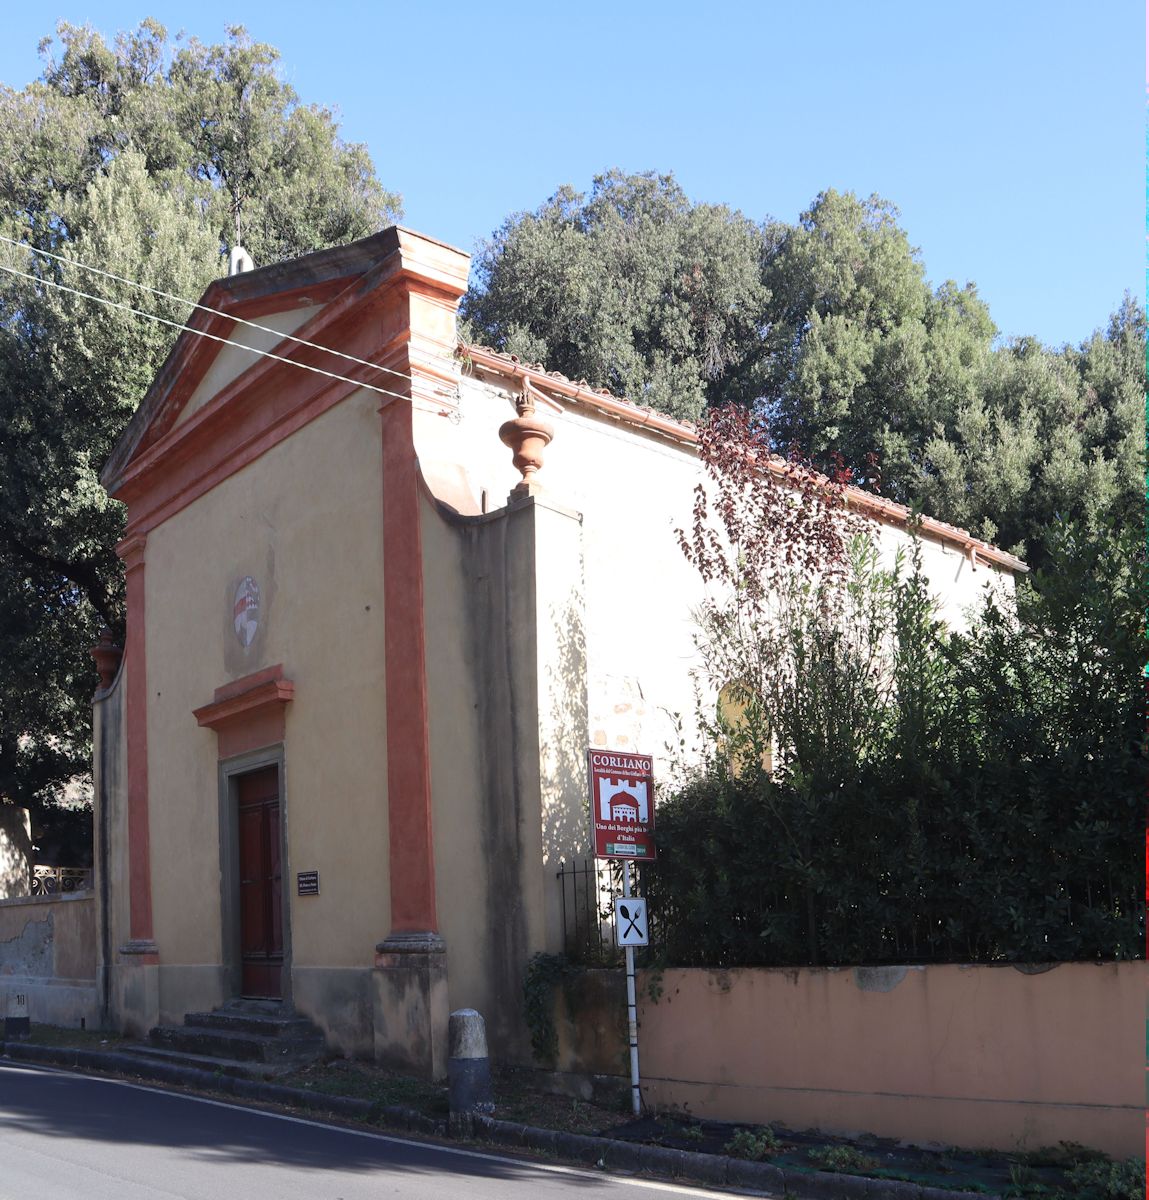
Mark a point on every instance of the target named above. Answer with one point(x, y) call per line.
point(831, 331)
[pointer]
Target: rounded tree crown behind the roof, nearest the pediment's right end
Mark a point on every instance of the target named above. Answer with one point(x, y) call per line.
point(634, 289)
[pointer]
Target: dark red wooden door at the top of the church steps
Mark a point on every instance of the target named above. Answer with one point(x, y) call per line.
point(261, 885)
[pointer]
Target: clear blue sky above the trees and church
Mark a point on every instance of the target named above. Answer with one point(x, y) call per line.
point(1010, 135)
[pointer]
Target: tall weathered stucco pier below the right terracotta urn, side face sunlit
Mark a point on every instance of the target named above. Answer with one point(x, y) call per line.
point(527, 653)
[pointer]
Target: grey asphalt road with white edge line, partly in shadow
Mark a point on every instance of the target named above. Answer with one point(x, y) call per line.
point(67, 1137)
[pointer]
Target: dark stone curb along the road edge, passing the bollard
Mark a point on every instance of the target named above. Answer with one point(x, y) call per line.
point(718, 1171)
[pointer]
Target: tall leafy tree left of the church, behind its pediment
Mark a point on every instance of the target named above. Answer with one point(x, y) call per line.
point(142, 159)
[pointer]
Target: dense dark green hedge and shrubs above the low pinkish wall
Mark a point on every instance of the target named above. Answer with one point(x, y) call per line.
point(935, 796)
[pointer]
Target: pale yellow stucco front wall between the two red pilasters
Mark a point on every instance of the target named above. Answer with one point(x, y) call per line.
point(315, 550)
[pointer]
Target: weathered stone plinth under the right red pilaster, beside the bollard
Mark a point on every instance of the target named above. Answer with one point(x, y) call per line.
point(411, 1007)
